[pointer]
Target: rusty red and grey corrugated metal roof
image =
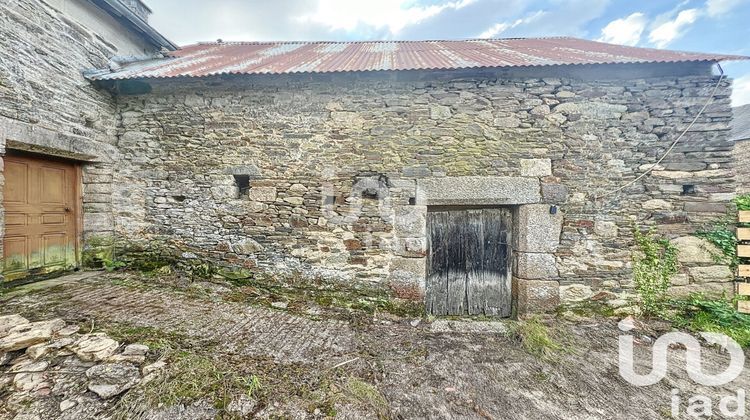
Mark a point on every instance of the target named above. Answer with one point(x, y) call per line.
point(324, 57)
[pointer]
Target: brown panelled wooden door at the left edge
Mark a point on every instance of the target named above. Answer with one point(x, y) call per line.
point(40, 216)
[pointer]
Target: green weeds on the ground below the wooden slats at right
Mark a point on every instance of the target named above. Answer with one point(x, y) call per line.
point(698, 313)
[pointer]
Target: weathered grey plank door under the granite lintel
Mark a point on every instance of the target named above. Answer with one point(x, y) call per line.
point(469, 264)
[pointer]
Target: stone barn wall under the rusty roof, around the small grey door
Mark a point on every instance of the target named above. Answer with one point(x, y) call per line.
point(334, 162)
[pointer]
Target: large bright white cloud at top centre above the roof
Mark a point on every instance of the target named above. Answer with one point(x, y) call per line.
point(394, 15)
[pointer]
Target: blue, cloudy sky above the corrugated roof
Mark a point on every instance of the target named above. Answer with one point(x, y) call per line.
point(717, 26)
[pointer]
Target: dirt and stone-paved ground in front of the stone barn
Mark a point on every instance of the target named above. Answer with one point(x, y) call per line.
point(271, 354)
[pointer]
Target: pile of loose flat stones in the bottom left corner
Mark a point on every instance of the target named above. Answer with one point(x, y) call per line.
point(50, 370)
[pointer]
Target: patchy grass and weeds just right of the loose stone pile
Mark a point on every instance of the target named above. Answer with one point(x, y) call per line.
point(200, 372)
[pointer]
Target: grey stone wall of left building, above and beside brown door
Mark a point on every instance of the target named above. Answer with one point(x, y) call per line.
point(46, 105)
